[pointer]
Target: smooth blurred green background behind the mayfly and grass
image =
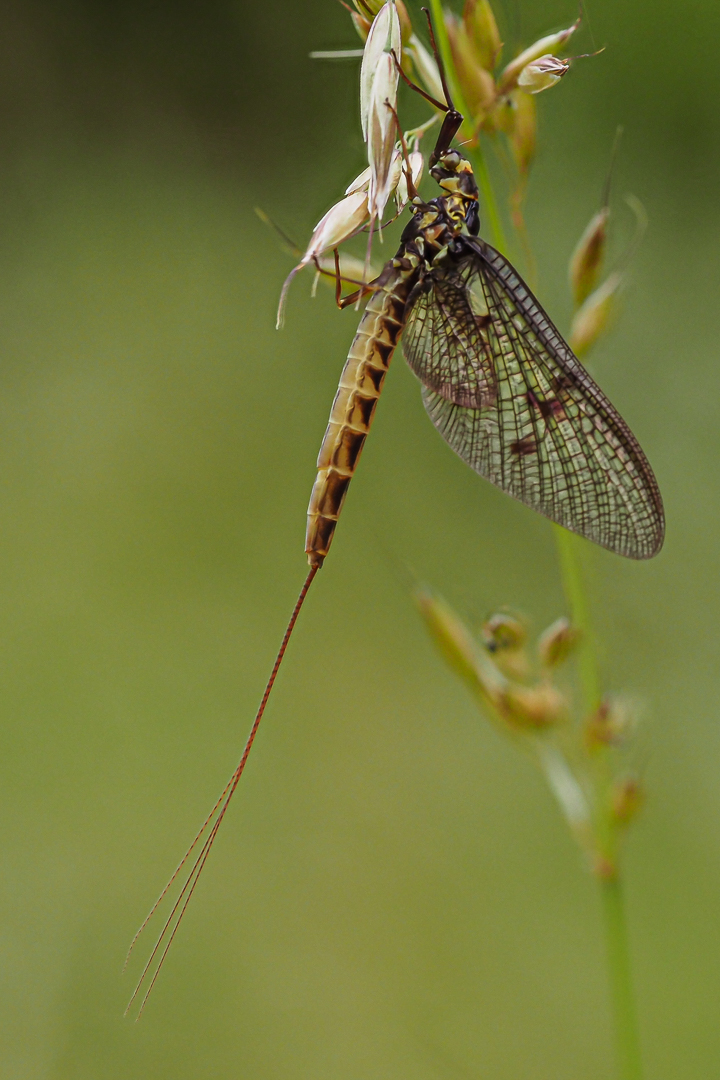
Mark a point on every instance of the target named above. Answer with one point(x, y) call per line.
point(393, 894)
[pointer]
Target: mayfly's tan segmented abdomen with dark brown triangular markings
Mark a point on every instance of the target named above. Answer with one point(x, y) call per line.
point(361, 385)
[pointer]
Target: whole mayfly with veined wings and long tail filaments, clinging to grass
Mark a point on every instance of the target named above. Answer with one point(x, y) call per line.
point(500, 385)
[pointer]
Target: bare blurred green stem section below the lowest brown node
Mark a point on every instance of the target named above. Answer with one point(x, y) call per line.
point(621, 984)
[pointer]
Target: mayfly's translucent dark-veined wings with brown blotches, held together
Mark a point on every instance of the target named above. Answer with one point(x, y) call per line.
point(547, 435)
